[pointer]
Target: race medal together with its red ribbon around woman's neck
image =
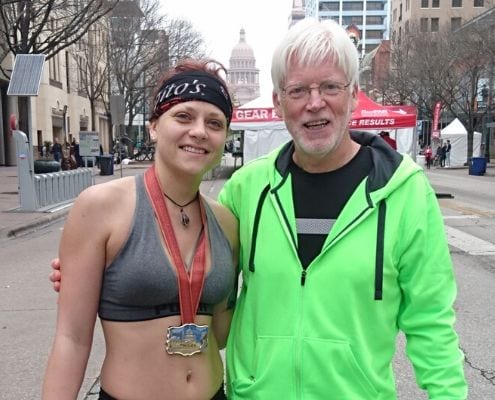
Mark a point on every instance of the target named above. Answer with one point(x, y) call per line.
point(189, 338)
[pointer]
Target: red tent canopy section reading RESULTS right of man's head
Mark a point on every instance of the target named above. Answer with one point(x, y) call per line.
point(371, 115)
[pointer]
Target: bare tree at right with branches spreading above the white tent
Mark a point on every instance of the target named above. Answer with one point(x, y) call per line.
point(427, 67)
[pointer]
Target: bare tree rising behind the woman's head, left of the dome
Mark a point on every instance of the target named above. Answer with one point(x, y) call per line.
point(142, 49)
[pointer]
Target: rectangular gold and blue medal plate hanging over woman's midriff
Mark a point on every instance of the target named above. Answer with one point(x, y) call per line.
point(187, 339)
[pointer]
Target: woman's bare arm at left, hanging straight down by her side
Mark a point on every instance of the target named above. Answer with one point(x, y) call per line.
point(82, 257)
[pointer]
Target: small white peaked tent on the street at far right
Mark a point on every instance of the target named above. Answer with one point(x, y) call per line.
point(457, 134)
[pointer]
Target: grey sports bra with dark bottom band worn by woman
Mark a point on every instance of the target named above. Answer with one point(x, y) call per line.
point(140, 284)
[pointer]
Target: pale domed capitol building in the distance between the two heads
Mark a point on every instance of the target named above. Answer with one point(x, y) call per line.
point(242, 75)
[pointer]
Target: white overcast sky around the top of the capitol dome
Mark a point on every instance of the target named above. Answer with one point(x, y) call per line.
point(220, 21)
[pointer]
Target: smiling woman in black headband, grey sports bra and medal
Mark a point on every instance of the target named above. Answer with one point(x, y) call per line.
point(154, 259)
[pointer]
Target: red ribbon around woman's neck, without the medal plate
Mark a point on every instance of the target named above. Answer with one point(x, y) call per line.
point(190, 285)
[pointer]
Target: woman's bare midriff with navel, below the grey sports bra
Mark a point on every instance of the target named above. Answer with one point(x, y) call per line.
point(137, 365)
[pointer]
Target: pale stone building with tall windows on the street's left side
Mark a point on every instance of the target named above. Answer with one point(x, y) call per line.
point(66, 103)
